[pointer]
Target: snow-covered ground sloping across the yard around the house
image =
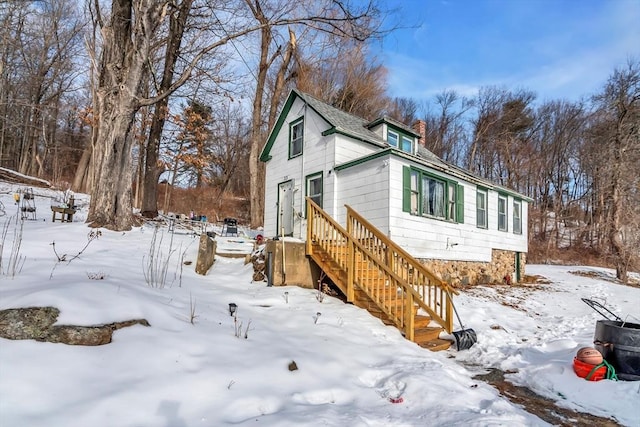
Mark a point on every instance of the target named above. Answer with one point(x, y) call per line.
point(351, 367)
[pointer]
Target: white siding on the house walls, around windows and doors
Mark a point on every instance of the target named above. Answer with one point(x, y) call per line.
point(374, 189)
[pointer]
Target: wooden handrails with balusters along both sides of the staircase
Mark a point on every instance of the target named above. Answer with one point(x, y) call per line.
point(395, 281)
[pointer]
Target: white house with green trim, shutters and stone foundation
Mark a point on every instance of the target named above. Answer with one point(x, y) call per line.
point(465, 228)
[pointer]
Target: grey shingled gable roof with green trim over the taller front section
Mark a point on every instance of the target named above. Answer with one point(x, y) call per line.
point(340, 122)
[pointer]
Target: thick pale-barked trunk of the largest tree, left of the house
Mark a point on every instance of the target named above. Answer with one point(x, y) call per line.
point(126, 48)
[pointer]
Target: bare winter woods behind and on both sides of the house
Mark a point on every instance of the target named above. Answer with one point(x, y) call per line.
point(115, 97)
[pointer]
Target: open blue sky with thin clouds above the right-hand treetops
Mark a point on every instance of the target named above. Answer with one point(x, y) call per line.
point(557, 48)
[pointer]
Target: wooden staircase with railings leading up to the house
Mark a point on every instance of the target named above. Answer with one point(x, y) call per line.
point(376, 274)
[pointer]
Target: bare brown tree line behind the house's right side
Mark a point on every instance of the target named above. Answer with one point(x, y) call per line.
point(578, 160)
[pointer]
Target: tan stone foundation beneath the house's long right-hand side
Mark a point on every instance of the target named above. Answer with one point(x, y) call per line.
point(464, 273)
